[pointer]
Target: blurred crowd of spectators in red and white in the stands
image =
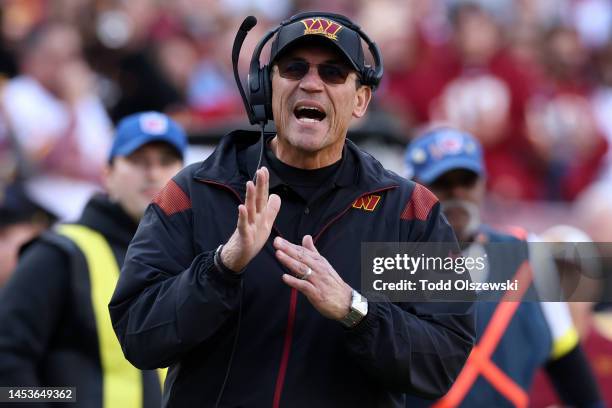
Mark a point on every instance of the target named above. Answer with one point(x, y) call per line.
point(531, 79)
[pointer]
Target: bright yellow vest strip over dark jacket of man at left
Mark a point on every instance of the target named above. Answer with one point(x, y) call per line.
point(121, 381)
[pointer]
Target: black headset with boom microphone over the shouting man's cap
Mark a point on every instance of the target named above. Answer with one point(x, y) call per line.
point(258, 102)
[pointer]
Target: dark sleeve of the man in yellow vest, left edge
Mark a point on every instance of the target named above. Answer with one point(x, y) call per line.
point(32, 304)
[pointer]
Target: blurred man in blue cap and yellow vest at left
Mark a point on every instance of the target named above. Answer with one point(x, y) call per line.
point(54, 323)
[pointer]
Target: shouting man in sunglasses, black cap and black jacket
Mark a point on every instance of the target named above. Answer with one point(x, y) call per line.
point(258, 305)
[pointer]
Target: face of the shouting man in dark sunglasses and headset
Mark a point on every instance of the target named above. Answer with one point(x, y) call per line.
point(312, 115)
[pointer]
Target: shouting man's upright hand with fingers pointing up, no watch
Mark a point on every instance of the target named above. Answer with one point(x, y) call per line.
point(255, 219)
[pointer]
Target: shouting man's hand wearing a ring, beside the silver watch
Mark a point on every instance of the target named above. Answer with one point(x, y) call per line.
point(323, 287)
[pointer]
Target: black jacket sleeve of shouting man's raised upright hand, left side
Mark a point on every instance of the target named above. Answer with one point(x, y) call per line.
point(169, 298)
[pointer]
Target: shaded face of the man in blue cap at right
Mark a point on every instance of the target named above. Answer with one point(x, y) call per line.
point(461, 193)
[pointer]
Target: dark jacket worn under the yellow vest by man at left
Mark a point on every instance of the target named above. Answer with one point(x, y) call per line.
point(48, 333)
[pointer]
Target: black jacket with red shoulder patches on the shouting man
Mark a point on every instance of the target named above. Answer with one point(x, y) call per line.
point(172, 307)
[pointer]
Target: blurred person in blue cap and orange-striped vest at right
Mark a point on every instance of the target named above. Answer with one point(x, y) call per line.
point(450, 163)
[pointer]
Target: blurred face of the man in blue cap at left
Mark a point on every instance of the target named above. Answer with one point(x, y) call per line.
point(133, 180)
